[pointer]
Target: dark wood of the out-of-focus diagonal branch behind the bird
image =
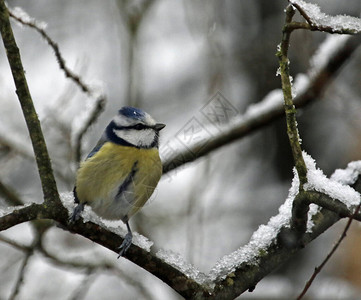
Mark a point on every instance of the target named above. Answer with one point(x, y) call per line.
point(264, 113)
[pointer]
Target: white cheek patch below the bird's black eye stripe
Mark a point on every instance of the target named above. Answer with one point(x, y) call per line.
point(141, 138)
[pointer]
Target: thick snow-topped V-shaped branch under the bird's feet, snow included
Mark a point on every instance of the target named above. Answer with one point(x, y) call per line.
point(271, 245)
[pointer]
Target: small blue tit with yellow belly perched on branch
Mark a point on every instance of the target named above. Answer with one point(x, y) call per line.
point(121, 172)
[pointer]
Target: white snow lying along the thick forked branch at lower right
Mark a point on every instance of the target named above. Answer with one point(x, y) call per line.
point(266, 234)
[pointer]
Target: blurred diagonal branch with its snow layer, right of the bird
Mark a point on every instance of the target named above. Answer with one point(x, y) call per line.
point(308, 87)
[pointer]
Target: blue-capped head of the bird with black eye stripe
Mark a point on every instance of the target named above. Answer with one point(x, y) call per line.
point(134, 127)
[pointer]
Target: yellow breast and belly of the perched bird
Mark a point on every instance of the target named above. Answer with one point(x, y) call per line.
point(100, 177)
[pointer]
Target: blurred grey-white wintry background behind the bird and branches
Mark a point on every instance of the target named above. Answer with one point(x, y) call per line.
point(171, 58)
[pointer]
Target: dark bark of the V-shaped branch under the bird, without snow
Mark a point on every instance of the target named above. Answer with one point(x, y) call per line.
point(243, 277)
